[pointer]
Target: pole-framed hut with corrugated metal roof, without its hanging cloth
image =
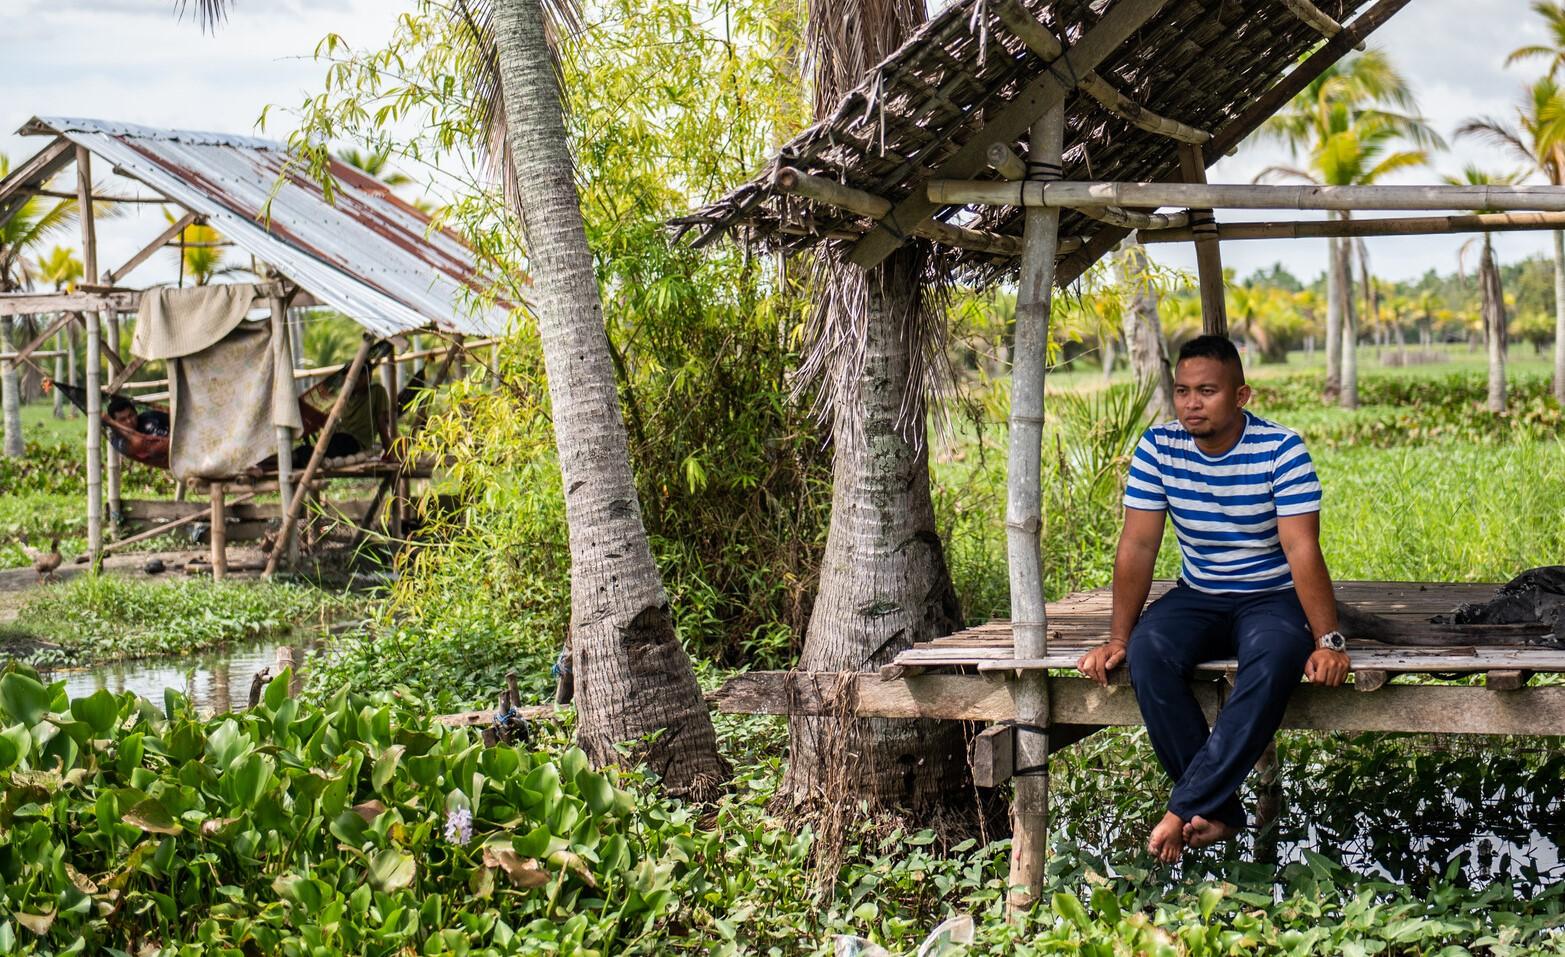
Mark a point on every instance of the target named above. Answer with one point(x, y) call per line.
point(362, 251)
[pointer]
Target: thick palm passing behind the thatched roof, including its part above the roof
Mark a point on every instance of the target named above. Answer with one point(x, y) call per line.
point(883, 578)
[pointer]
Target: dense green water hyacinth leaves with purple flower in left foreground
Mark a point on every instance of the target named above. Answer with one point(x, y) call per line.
point(298, 828)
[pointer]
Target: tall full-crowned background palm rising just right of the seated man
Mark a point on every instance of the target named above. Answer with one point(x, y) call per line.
point(1345, 126)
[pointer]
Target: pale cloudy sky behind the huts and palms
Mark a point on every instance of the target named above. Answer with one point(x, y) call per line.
point(135, 62)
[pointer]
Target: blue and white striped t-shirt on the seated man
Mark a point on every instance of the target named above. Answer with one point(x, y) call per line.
point(1226, 509)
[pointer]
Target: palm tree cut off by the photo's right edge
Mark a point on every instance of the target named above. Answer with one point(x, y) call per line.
point(1538, 138)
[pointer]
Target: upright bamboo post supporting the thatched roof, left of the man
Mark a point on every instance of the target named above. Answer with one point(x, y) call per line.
point(1024, 522)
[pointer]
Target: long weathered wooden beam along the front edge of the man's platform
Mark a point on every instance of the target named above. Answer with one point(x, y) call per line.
point(1431, 709)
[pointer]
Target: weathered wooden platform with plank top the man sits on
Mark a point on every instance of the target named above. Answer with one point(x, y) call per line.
point(974, 676)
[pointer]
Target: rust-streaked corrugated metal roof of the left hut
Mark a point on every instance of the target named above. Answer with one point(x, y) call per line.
point(367, 254)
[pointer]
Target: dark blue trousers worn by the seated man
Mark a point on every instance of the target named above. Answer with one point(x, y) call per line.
point(1270, 636)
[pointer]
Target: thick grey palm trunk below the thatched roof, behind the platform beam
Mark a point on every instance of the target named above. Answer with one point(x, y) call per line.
point(883, 578)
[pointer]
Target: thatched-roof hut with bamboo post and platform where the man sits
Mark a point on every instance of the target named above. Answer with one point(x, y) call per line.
point(1118, 110)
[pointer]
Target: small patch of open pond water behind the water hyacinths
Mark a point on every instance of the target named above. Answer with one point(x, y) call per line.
point(217, 681)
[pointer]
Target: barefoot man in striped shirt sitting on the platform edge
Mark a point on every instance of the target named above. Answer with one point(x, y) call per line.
point(1245, 503)
